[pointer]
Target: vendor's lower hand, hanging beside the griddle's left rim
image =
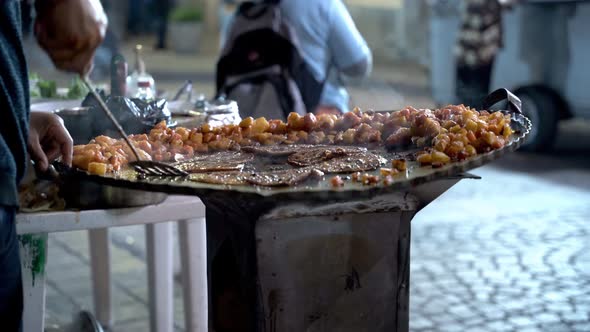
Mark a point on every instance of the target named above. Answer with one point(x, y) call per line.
point(48, 139)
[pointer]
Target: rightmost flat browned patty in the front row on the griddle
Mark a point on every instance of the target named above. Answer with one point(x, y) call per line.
point(357, 162)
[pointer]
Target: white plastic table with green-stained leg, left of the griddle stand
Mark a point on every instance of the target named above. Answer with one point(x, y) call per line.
point(188, 211)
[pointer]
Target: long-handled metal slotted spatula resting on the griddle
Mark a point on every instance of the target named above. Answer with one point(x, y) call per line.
point(145, 167)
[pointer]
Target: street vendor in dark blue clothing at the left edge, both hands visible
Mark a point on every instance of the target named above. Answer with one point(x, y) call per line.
point(70, 31)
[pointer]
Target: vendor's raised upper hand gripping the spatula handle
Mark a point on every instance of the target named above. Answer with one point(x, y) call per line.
point(70, 31)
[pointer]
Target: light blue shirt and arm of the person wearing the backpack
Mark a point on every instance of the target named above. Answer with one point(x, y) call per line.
point(330, 44)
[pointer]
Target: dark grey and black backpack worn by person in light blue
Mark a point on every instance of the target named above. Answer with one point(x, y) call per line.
point(261, 67)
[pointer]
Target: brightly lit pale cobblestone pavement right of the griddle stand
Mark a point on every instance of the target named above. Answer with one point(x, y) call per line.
point(509, 252)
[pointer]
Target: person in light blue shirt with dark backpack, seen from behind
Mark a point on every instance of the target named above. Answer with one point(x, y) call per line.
point(291, 56)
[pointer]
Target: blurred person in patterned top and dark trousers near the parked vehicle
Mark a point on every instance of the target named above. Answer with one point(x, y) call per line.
point(480, 40)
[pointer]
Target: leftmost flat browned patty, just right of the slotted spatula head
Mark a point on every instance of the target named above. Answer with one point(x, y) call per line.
point(216, 162)
